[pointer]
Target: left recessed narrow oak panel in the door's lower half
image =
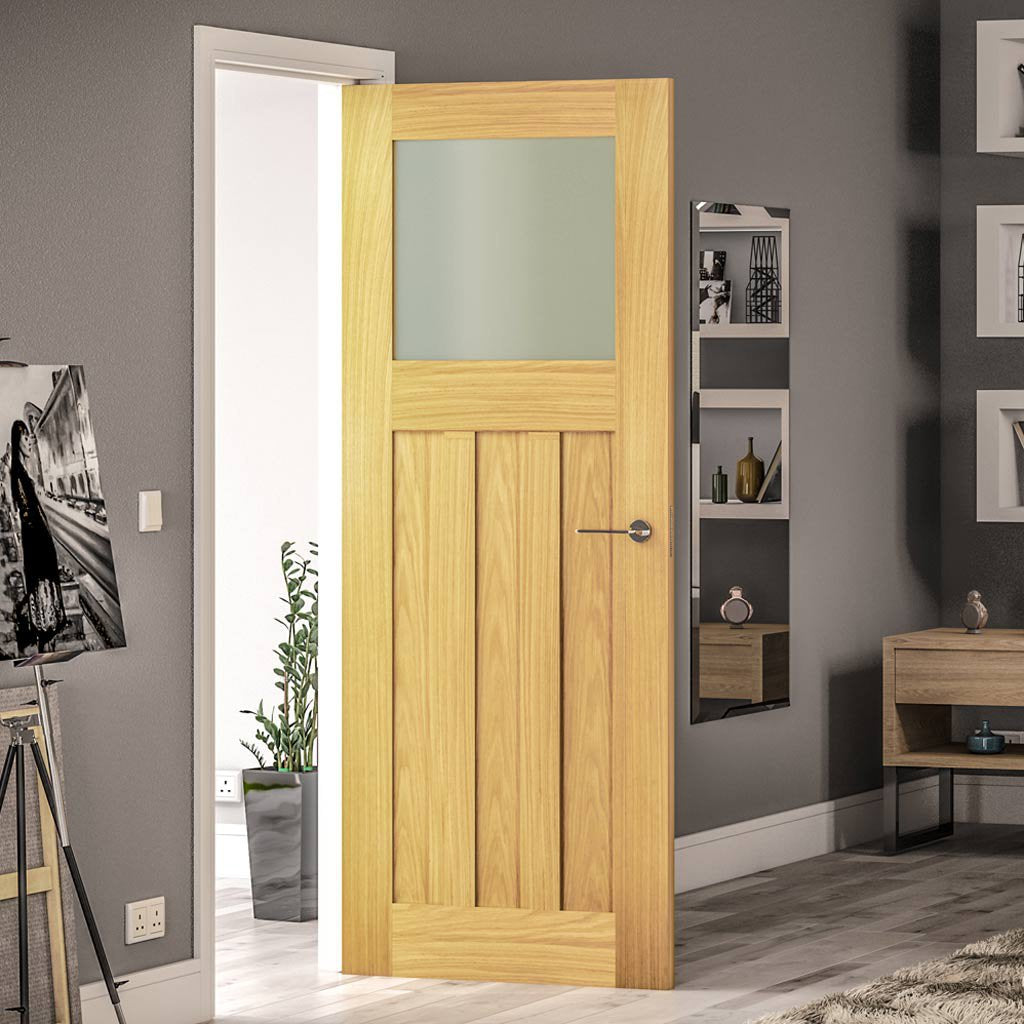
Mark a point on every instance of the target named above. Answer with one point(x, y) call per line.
point(412, 692)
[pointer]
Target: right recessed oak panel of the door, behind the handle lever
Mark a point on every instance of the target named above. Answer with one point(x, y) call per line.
point(586, 673)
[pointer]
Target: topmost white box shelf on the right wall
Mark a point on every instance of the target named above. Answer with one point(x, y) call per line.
point(1001, 93)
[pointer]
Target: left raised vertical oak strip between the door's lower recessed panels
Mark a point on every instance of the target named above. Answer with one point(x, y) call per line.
point(452, 669)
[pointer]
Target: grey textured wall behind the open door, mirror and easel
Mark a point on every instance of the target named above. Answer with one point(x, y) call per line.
point(827, 109)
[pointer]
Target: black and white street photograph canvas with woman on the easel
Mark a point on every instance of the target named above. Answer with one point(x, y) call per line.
point(58, 588)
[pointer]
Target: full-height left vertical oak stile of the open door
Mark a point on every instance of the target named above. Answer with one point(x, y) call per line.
point(367, 529)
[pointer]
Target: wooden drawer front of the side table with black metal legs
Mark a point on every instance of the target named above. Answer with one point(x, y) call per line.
point(960, 677)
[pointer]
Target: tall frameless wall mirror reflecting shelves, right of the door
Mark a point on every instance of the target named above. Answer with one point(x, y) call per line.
point(741, 474)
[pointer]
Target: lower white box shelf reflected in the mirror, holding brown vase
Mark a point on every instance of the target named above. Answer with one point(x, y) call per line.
point(770, 409)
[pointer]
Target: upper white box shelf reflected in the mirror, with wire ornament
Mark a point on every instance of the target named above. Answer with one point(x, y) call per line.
point(734, 233)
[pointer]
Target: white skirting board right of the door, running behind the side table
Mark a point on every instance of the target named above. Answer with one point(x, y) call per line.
point(762, 844)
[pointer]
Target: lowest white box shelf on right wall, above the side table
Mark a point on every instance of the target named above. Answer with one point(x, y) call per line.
point(1001, 457)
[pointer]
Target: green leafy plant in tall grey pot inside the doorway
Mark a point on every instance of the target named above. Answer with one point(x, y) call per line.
point(281, 793)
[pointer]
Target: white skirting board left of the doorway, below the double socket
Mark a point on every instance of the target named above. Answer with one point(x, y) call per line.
point(170, 995)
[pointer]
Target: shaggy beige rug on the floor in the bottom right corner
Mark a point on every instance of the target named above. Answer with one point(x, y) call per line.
point(983, 984)
